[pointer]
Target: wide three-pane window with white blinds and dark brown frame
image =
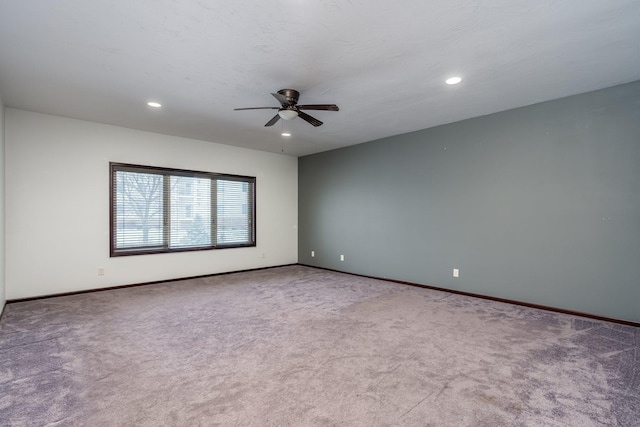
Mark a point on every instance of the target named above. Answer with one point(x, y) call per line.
point(157, 210)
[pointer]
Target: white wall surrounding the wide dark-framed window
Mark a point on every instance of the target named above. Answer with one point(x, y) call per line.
point(57, 199)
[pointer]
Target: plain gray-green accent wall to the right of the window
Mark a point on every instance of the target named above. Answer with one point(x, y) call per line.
point(539, 204)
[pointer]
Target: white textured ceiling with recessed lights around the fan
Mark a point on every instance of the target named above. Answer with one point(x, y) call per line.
point(382, 62)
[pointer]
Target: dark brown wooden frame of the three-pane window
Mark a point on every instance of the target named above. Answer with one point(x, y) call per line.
point(168, 172)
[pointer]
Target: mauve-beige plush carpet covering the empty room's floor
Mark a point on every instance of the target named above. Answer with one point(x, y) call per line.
point(298, 346)
